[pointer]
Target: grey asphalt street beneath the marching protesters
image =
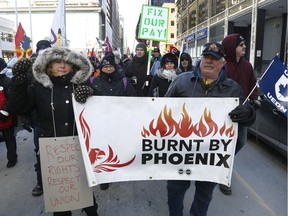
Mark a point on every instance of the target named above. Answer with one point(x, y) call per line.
point(259, 187)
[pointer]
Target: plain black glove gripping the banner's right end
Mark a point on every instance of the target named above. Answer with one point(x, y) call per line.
point(241, 114)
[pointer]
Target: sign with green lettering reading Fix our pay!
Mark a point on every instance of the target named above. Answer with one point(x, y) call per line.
point(154, 23)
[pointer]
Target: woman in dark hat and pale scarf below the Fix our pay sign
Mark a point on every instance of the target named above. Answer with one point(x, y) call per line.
point(164, 76)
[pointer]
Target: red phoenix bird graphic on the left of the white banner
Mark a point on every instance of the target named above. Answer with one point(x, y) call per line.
point(112, 162)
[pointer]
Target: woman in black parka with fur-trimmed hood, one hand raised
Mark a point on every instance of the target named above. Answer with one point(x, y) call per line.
point(57, 72)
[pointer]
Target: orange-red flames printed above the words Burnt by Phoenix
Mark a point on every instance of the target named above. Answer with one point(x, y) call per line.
point(167, 126)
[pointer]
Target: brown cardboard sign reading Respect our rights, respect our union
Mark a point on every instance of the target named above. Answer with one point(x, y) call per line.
point(63, 174)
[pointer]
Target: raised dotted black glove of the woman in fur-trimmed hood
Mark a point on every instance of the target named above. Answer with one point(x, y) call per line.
point(20, 70)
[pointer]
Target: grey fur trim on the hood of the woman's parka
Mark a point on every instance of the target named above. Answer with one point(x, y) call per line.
point(48, 55)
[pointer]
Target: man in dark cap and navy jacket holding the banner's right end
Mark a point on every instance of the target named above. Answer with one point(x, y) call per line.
point(206, 80)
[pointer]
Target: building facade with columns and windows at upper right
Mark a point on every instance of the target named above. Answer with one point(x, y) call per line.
point(201, 21)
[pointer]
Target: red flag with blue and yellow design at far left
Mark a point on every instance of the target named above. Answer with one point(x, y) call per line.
point(22, 43)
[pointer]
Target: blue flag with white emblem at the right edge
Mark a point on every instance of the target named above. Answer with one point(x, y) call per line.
point(274, 84)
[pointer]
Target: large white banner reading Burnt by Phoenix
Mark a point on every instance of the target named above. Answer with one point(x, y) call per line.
point(139, 138)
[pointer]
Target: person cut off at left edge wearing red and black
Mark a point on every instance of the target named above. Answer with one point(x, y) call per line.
point(8, 120)
